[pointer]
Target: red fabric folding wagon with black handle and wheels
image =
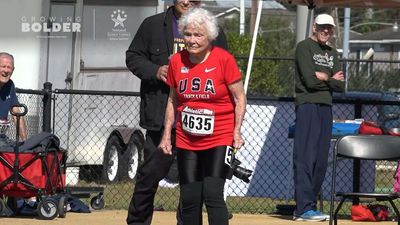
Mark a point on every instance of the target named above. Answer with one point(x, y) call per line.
point(34, 169)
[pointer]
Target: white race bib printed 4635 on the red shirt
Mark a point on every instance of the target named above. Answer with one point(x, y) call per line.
point(198, 122)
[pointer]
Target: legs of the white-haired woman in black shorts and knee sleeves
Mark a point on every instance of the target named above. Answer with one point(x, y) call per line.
point(202, 177)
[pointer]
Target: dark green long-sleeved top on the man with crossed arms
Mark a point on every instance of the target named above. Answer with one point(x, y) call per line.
point(313, 57)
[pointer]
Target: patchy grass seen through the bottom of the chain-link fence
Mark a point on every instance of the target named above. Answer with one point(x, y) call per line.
point(118, 195)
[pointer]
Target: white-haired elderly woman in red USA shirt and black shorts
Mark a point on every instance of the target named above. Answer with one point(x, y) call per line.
point(208, 100)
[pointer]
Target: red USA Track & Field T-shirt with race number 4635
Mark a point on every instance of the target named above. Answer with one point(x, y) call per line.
point(205, 107)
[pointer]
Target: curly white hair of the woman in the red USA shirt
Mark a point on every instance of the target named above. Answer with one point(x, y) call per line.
point(199, 17)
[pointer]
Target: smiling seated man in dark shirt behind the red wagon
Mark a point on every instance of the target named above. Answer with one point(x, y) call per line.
point(8, 98)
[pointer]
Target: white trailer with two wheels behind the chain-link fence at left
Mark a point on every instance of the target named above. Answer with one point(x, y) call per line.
point(80, 45)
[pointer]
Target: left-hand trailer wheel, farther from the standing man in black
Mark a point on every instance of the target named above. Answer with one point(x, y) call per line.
point(112, 164)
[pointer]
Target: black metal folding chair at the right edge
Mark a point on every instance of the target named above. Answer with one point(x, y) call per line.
point(364, 147)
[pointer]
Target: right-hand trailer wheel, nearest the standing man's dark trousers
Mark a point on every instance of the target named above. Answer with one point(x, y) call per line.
point(133, 156)
